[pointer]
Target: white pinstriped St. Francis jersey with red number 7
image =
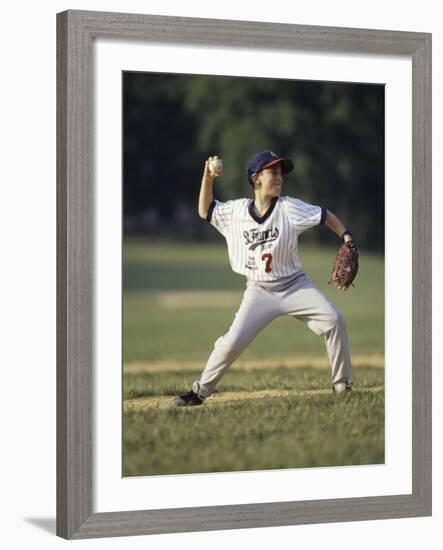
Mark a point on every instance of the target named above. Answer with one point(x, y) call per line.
point(264, 248)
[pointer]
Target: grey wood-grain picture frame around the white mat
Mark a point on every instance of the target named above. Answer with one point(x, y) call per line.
point(76, 31)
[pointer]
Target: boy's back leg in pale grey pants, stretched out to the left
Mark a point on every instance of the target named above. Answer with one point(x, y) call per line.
point(258, 308)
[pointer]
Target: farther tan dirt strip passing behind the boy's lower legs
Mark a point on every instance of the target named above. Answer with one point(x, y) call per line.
point(376, 360)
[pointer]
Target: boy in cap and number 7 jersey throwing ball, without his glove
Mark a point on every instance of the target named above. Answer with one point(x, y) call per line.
point(262, 238)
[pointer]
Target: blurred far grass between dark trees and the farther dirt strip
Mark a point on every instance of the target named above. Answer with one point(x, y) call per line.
point(155, 332)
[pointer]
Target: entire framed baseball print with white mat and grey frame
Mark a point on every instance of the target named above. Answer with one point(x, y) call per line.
point(145, 287)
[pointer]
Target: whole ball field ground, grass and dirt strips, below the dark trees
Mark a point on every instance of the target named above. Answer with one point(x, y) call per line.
point(274, 408)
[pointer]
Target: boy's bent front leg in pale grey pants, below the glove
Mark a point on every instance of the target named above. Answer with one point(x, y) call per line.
point(307, 303)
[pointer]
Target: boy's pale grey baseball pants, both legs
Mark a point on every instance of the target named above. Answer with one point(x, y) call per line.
point(260, 305)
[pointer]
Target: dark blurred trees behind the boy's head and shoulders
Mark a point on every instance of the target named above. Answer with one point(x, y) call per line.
point(172, 123)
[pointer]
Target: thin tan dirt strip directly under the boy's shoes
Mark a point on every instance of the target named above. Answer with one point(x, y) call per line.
point(165, 402)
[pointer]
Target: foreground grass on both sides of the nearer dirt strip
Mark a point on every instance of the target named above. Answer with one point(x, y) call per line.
point(255, 434)
